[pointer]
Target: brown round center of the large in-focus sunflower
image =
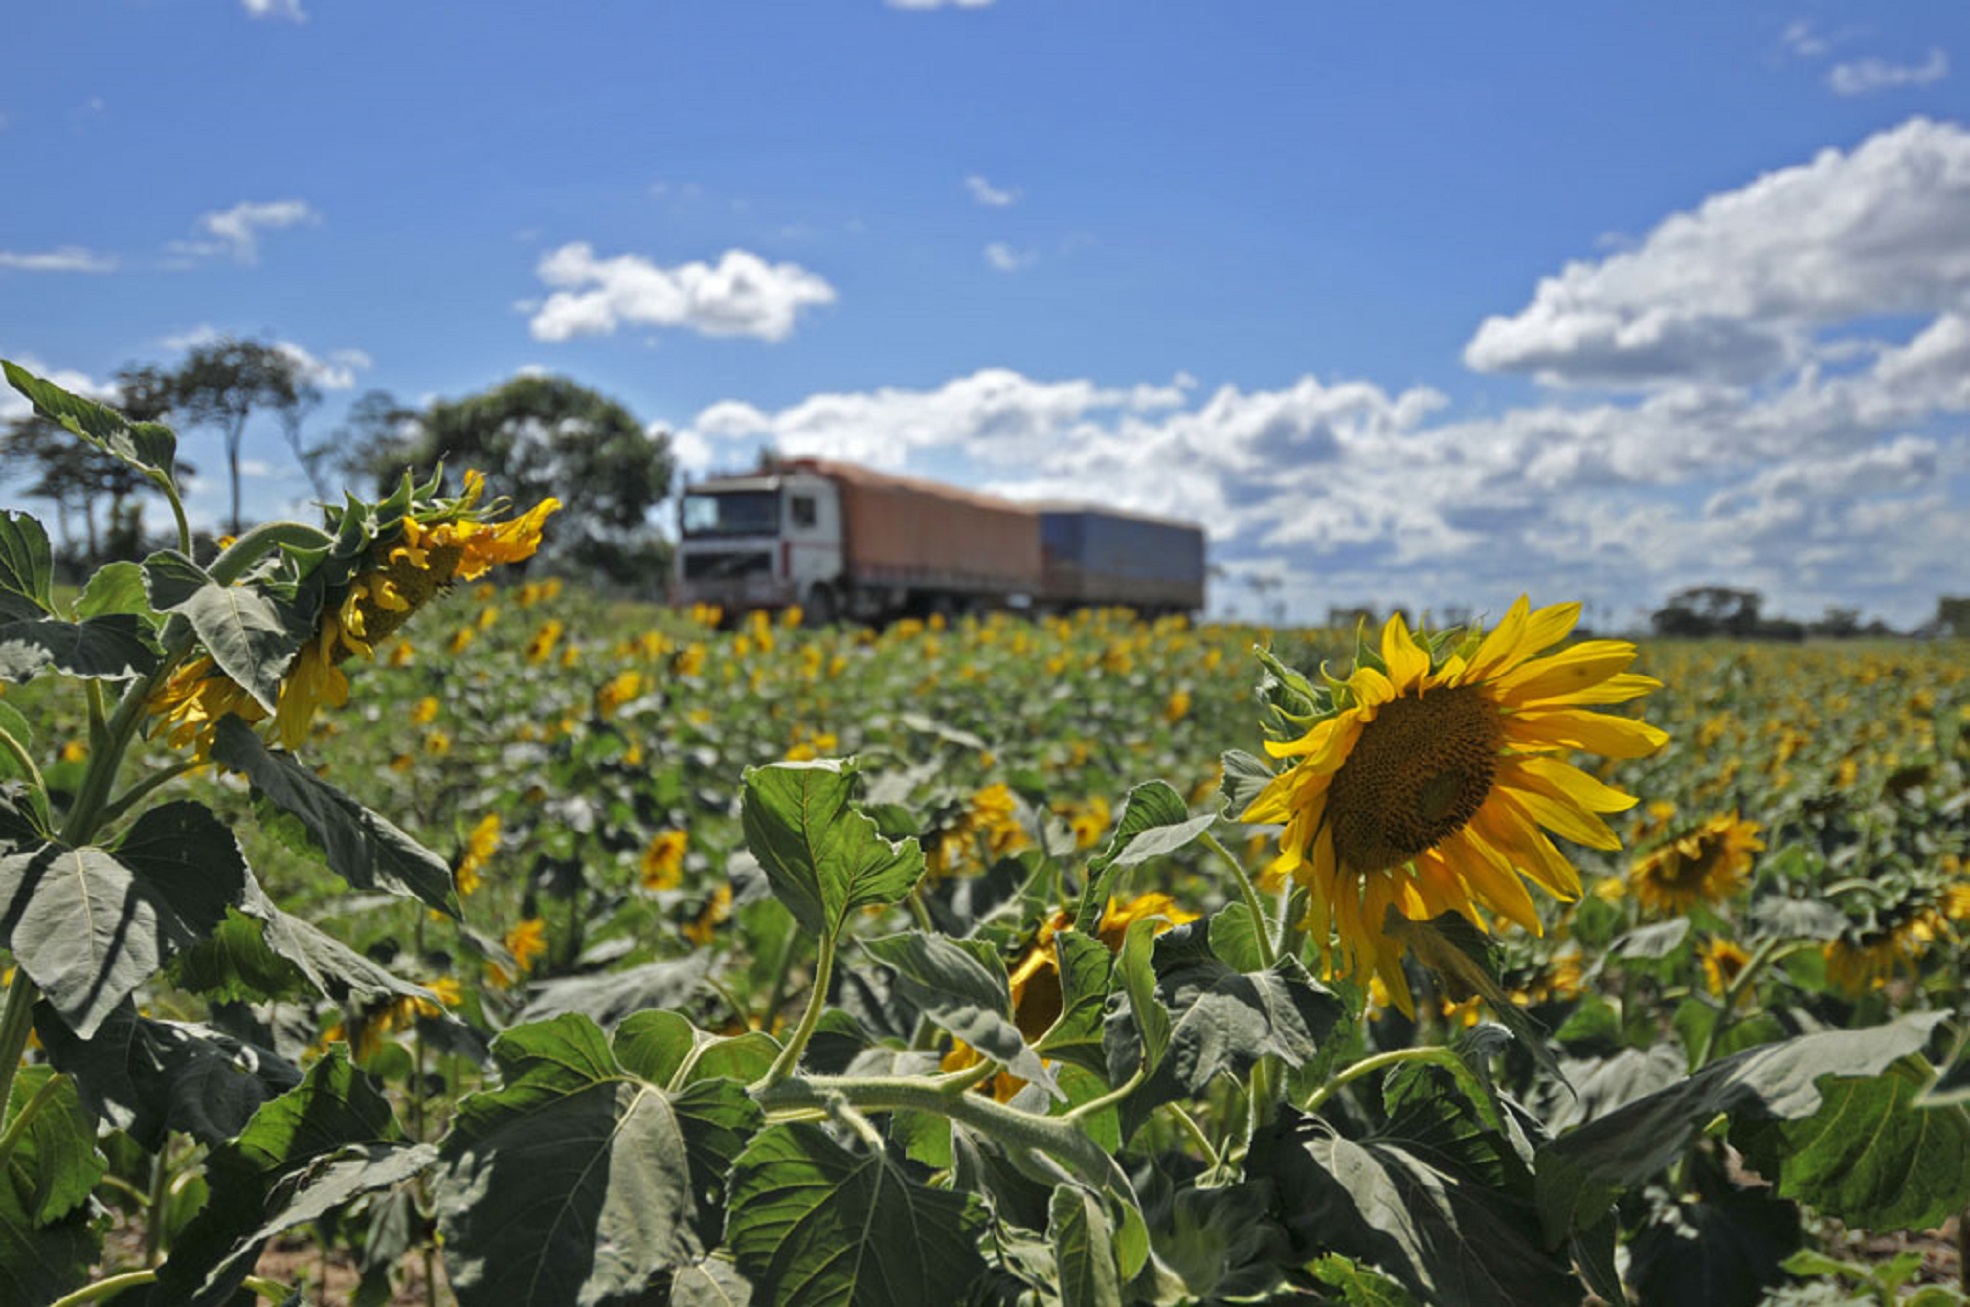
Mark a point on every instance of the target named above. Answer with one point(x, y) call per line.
point(1419, 772)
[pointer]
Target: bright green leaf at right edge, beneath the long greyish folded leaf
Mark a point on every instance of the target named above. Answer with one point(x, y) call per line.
point(1876, 1160)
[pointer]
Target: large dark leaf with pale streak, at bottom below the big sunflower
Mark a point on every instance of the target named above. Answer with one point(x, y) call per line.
point(1412, 1213)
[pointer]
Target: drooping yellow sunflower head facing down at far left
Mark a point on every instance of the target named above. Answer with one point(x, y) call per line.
point(403, 565)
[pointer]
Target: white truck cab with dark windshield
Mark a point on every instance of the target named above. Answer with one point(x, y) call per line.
point(761, 541)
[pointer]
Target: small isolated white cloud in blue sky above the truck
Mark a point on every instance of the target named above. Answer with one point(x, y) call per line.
point(742, 295)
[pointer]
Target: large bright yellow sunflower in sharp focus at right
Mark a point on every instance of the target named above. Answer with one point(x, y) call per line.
point(1429, 782)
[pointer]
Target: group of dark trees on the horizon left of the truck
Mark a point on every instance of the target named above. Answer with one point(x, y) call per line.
point(531, 437)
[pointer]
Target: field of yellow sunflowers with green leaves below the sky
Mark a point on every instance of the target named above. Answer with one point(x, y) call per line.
point(385, 924)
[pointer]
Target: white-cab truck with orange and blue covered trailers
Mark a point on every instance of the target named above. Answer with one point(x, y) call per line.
point(842, 541)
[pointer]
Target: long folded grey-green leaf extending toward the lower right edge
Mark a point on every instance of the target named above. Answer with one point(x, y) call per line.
point(1583, 1172)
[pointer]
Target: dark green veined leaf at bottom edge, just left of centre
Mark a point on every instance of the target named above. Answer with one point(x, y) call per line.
point(815, 1223)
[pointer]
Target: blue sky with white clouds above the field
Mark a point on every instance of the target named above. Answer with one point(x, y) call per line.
point(1423, 307)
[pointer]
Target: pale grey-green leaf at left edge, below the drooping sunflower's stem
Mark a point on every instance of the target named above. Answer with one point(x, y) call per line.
point(84, 928)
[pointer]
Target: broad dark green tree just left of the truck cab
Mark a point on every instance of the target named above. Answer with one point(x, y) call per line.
point(539, 437)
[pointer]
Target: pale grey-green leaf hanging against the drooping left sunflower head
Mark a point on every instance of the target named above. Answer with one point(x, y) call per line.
point(249, 632)
